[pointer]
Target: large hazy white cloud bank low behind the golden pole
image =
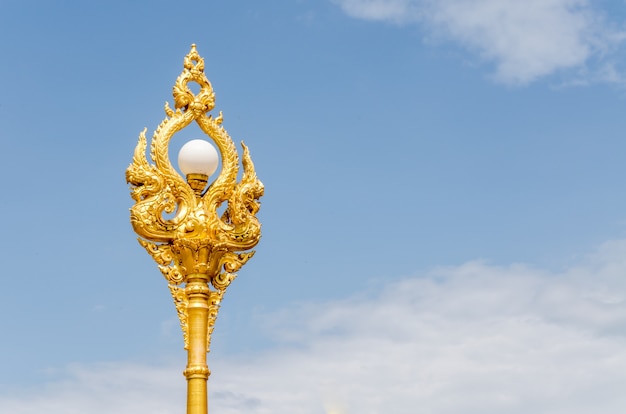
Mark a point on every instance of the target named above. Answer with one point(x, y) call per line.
point(468, 339)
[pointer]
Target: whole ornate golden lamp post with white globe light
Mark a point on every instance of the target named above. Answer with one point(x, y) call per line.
point(199, 233)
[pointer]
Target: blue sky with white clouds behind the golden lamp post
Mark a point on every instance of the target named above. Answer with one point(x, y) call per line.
point(443, 223)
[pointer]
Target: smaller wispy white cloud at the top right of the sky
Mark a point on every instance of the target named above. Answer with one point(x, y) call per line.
point(525, 40)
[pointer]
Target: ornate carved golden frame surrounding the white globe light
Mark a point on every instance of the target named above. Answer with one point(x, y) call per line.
point(159, 191)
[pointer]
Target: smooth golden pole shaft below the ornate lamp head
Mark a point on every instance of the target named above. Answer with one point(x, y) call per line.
point(197, 371)
